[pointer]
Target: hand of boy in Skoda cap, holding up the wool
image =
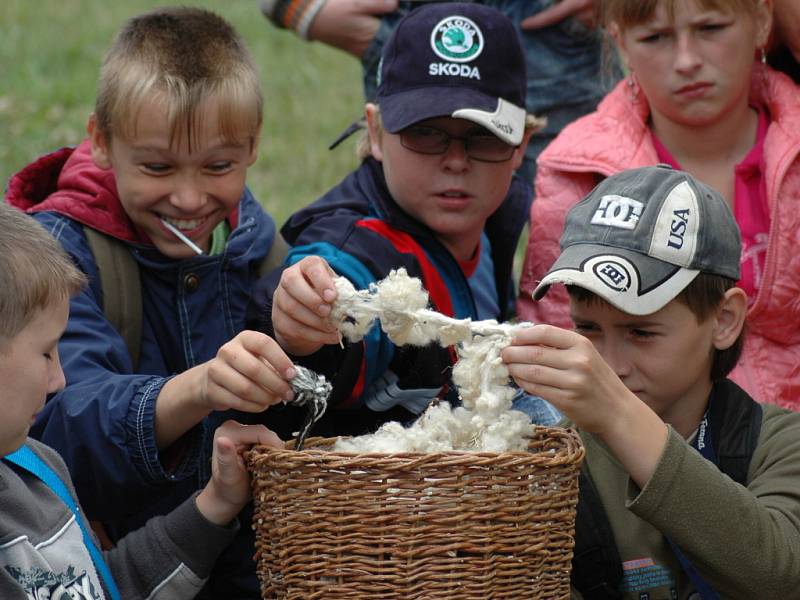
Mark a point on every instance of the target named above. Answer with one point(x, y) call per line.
point(301, 305)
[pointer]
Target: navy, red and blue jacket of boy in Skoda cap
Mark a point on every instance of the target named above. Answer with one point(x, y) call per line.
point(360, 230)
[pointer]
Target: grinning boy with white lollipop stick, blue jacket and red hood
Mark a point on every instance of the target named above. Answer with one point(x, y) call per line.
point(175, 127)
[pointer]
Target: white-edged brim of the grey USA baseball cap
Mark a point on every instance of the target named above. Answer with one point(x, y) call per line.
point(634, 283)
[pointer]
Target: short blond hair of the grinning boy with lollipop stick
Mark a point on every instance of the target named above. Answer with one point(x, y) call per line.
point(183, 57)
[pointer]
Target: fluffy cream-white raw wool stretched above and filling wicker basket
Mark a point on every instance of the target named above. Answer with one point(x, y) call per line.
point(485, 422)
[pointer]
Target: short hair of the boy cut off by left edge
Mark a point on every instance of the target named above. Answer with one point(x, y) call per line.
point(35, 271)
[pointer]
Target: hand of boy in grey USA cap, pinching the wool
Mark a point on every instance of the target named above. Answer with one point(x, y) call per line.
point(564, 367)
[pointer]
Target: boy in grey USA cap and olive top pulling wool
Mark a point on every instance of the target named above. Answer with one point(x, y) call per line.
point(697, 485)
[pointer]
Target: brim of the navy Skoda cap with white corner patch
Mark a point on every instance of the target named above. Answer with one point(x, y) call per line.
point(504, 119)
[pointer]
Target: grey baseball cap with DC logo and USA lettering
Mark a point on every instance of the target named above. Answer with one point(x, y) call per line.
point(642, 235)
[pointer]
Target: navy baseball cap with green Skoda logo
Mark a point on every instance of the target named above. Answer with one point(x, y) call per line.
point(454, 59)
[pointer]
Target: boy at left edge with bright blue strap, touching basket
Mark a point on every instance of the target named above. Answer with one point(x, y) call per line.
point(45, 548)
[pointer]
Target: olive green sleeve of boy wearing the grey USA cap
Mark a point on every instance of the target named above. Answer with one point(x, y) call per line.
point(743, 540)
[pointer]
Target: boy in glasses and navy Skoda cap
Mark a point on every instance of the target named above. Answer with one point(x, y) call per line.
point(436, 196)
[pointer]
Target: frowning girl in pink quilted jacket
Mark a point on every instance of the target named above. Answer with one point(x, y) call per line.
point(695, 99)
